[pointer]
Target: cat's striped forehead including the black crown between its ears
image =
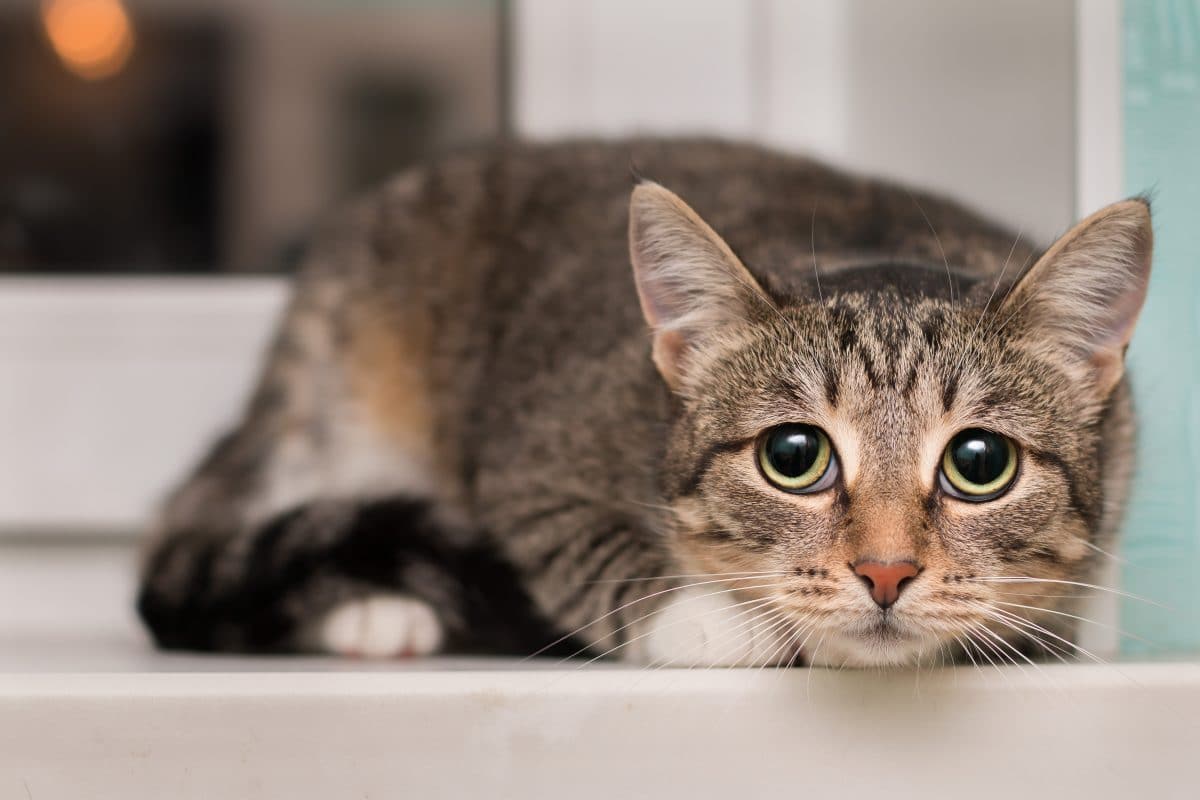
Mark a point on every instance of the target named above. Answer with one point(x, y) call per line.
point(887, 347)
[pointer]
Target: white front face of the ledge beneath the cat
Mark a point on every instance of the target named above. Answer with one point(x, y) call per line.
point(1099, 733)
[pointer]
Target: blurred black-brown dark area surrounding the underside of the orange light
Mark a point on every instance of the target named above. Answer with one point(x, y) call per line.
point(119, 173)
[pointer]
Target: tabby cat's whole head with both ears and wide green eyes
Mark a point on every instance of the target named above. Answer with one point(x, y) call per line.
point(897, 470)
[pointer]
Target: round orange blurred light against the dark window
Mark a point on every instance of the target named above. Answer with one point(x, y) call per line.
point(93, 38)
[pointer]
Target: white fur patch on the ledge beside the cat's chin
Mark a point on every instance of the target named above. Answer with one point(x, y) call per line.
point(699, 629)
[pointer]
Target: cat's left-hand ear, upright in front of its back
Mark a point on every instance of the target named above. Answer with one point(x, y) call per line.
point(692, 286)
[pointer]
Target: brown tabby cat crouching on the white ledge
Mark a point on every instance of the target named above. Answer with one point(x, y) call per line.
point(461, 436)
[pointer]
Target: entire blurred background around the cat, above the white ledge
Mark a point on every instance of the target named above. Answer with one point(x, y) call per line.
point(163, 161)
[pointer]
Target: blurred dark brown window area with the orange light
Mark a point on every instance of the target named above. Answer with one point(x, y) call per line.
point(187, 136)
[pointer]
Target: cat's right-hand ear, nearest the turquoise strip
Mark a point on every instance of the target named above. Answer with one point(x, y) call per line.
point(1085, 293)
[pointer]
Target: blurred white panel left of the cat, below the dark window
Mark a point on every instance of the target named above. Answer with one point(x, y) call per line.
point(111, 388)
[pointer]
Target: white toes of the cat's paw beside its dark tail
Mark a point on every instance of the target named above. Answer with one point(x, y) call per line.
point(381, 627)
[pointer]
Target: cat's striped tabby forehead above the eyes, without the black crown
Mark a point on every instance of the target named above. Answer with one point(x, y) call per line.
point(886, 360)
